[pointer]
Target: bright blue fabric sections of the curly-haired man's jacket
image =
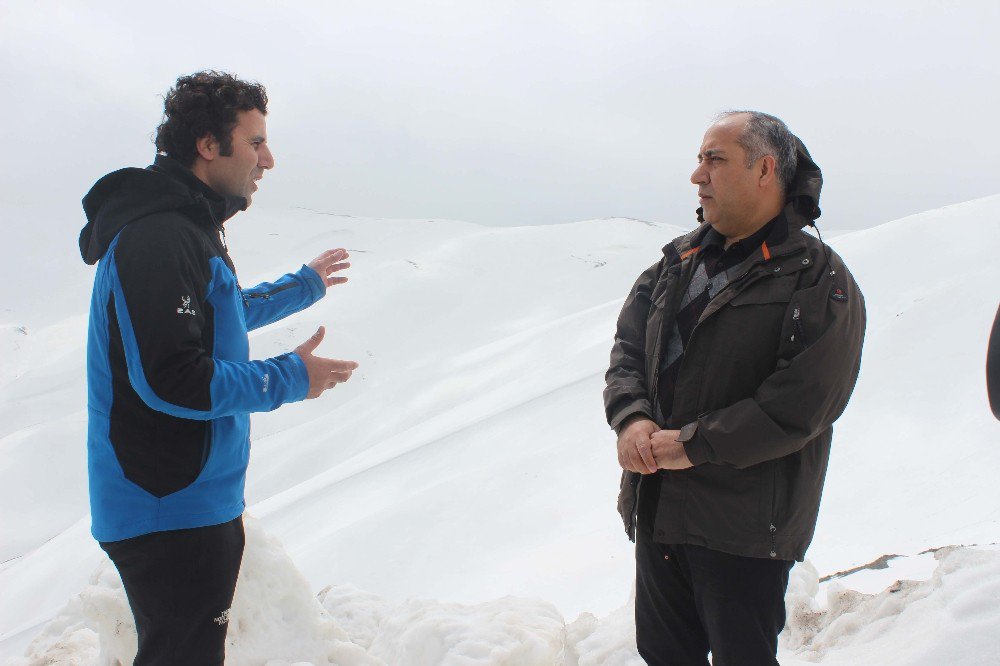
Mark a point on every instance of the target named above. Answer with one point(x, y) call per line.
point(122, 509)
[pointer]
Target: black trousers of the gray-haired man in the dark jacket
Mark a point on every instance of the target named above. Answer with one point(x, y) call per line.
point(690, 600)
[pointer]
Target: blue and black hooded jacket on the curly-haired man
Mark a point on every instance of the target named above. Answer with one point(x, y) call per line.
point(170, 381)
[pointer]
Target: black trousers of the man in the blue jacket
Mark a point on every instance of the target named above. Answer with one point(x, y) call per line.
point(180, 586)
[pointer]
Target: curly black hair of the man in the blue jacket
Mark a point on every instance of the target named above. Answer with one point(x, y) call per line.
point(205, 103)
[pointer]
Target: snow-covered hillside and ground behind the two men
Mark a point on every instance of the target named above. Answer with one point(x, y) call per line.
point(468, 460)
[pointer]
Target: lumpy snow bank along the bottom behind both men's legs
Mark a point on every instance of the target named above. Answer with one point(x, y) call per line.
point(953, 617)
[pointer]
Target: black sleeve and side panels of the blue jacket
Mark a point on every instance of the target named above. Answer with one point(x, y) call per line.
point(161, 260)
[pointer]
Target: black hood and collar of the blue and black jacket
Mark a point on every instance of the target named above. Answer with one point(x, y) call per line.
point(129, 194)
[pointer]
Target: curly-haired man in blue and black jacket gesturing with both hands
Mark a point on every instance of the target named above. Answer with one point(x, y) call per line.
point(171, 383)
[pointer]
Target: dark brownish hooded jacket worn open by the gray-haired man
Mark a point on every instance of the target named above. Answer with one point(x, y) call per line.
point(768, 368)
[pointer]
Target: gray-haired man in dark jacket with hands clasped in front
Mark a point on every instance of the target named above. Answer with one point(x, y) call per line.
point(734, 355)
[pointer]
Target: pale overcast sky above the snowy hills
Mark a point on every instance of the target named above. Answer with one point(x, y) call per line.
point(513, 112)
